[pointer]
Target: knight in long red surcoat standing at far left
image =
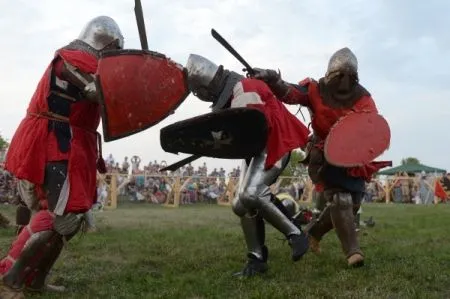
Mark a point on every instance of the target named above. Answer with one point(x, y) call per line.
point(55, 155)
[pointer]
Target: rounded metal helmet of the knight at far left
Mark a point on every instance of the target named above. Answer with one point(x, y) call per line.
point(102, 32)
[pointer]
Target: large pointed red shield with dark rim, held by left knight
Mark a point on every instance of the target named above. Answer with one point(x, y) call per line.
point(138, 90)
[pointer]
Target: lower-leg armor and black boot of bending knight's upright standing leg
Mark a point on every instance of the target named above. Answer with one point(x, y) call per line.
point(254, 232)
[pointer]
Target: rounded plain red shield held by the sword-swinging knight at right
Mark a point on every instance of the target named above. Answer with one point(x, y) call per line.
point(357, 139)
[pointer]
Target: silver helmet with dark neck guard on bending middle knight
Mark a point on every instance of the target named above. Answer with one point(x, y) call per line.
point(209, 82)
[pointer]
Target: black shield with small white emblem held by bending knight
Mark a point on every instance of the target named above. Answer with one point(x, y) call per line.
point(237, 133)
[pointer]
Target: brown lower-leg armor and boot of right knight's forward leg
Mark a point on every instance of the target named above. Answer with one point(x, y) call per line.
point(342, 215)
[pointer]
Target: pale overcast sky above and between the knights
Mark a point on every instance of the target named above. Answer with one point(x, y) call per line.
point(403, 49)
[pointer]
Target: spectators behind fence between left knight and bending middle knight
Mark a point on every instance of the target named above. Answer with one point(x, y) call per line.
point(145, 183)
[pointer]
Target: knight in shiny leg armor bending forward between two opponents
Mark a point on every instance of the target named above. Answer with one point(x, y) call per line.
point(254, 201)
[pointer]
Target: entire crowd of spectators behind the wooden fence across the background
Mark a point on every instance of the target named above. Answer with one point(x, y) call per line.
point(138, 182)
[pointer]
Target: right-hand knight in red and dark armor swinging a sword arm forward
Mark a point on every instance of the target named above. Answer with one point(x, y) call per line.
point(332, 97)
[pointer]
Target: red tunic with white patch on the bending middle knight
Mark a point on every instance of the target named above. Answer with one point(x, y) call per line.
point(286, 132)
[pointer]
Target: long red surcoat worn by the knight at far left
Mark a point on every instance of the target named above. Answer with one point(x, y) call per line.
point(33, 145)
